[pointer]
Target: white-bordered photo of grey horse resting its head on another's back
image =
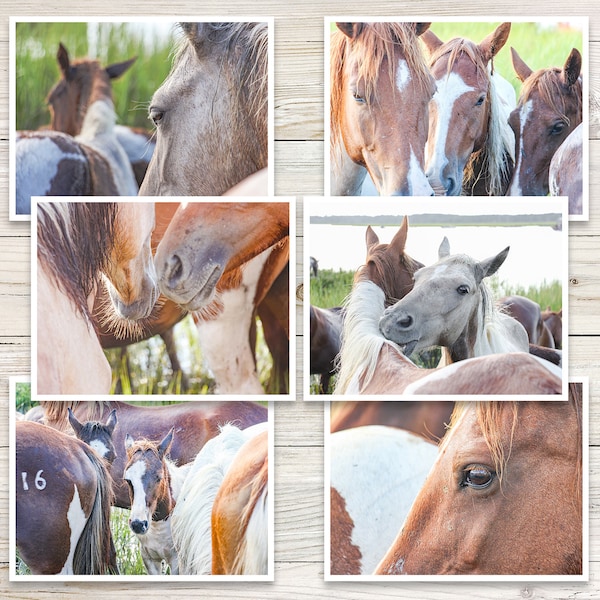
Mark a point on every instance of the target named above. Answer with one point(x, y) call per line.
point(428, 300)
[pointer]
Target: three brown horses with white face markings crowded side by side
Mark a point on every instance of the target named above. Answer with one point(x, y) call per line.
point(422, 116)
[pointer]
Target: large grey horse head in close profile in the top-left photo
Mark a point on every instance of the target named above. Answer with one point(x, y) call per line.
point(217, 89)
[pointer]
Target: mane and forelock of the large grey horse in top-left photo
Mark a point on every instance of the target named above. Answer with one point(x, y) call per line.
point(244, 48)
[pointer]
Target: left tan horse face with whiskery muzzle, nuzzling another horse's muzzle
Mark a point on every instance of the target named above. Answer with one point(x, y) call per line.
point(131, 277)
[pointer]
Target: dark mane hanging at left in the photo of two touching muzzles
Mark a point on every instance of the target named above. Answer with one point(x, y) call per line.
point(74, 240)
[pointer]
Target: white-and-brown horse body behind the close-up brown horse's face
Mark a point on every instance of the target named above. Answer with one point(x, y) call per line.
point(375, 474)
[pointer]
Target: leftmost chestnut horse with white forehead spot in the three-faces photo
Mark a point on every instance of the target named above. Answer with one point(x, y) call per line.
point(380, 91)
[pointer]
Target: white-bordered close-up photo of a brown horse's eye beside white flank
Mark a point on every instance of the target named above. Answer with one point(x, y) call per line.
point(404, 504)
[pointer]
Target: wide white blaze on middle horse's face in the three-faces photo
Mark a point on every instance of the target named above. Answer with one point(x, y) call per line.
point(449, 89)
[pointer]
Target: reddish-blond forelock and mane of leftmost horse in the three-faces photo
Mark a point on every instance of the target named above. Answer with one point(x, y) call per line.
point(378, 41)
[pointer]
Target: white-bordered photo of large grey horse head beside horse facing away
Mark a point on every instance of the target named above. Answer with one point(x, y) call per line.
point(95, 100)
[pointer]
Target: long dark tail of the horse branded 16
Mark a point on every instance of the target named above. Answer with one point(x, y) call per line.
point(95, 552)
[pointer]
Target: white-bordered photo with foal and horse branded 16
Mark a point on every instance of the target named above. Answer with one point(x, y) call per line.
point(169, 489)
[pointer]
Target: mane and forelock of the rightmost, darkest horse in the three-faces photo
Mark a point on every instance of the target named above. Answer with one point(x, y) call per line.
point(552, 90)
